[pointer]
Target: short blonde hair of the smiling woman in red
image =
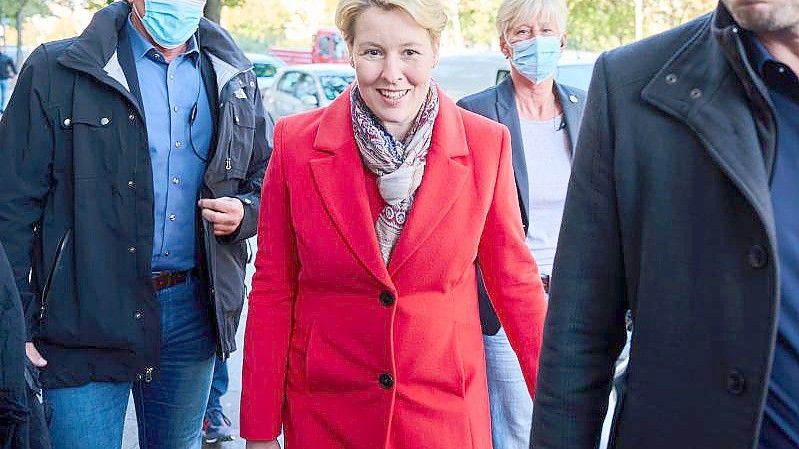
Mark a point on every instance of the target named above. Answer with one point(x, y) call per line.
point(429, 14)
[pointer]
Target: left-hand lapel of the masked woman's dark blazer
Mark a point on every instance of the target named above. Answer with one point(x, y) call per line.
point(509, 116)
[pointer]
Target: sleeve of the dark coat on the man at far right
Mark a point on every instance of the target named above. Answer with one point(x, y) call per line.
point(584, 330)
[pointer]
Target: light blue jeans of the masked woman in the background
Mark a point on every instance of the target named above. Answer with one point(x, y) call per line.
point(509, 401)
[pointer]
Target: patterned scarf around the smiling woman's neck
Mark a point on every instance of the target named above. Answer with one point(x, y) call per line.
point(399, 166)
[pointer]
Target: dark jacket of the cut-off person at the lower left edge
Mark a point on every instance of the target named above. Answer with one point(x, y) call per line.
point(22, 424)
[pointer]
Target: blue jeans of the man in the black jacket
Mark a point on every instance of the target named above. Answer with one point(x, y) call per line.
point(169, 409)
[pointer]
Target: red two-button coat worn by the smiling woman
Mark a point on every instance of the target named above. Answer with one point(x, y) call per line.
point(348, 354)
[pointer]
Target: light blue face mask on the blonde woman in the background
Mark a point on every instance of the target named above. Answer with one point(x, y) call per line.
point(537, 58)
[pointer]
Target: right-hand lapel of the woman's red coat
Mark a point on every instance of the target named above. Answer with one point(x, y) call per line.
point(445, 174)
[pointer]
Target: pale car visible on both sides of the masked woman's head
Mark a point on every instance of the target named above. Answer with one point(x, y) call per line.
point(464, 74)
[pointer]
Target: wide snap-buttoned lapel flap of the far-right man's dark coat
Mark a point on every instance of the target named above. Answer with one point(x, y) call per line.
point(699, 88)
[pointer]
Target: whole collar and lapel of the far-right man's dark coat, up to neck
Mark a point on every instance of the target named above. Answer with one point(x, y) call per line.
point(709, 85)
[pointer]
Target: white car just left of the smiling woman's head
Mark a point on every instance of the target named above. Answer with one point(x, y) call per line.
point(302, 87)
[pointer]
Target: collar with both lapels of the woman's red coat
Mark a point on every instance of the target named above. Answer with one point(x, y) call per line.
point(340, 180)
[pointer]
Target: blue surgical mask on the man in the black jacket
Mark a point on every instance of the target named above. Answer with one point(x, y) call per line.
point(171, 22)
